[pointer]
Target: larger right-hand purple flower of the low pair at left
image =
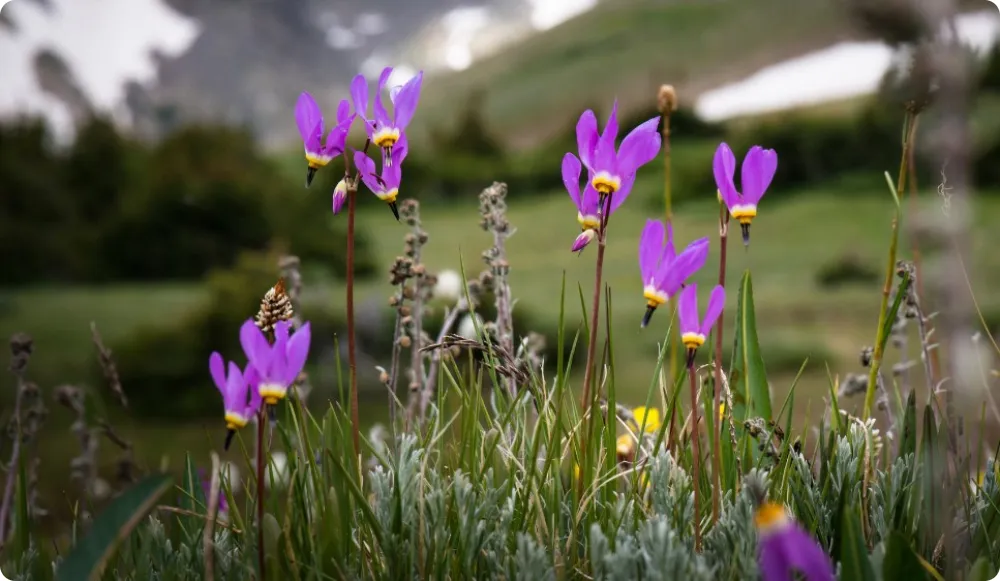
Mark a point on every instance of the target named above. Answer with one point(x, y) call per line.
point(278, 365)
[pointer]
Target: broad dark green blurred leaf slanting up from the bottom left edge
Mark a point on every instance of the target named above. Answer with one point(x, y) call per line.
point(88, 558)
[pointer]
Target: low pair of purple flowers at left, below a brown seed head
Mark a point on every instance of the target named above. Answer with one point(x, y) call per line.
point(271, 369)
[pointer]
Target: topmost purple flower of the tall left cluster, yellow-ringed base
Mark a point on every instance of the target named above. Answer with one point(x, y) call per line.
point(384, 131)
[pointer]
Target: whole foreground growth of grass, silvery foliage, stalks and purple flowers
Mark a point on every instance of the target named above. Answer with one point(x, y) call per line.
point(492, 466)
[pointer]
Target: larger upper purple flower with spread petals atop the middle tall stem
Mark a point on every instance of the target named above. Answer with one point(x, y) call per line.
point(609, 169)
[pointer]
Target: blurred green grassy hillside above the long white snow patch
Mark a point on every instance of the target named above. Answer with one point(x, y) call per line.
point(626, 49)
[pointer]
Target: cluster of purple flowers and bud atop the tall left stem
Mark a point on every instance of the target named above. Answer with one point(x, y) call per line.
point(385, 131)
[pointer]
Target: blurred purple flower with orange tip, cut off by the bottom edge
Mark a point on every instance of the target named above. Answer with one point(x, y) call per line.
point(784, 547)
